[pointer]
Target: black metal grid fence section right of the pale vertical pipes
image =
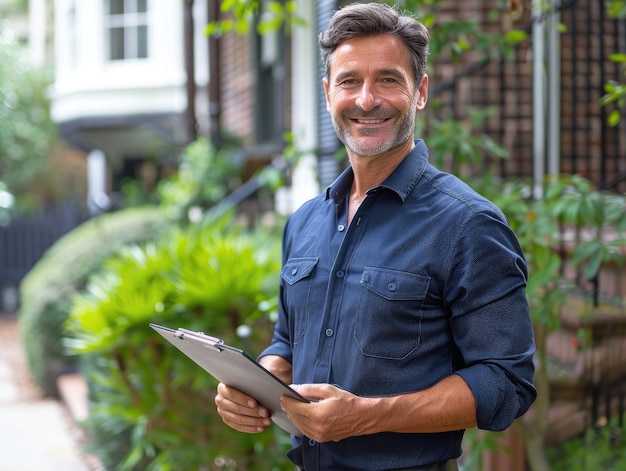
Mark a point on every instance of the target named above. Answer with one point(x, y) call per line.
point(591, 146)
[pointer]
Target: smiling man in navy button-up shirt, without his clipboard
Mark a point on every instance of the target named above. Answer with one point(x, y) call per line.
point(403, 313)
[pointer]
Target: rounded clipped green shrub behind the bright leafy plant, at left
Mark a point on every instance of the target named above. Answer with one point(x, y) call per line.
point(47, 290)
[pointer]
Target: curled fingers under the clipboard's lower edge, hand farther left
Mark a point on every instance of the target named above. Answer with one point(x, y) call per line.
point(240, 411)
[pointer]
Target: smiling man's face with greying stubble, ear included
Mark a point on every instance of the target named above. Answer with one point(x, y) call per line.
point(371, 95)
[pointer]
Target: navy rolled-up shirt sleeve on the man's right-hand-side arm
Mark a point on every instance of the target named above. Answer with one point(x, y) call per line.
point(490, 319)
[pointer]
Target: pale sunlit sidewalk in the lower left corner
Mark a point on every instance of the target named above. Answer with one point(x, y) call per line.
point(36, 433)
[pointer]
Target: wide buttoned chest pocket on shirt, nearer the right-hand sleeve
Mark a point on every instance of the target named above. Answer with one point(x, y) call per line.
point(389, 317)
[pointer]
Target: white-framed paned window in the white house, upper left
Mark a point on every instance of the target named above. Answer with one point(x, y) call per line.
point(127, 29)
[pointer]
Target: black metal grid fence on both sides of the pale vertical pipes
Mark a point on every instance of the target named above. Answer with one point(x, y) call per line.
point(588, 145)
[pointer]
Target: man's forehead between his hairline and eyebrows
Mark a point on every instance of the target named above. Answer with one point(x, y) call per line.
point(370, 54)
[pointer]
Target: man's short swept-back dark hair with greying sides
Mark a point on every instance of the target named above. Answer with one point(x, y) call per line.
point(369, 19)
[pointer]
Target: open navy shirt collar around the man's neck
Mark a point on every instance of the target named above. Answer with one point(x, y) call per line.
point(401, 181)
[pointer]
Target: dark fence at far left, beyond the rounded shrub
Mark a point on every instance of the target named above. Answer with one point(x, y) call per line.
point(24, 241)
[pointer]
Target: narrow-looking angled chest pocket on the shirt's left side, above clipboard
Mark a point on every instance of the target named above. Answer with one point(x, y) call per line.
point(296, 291)
